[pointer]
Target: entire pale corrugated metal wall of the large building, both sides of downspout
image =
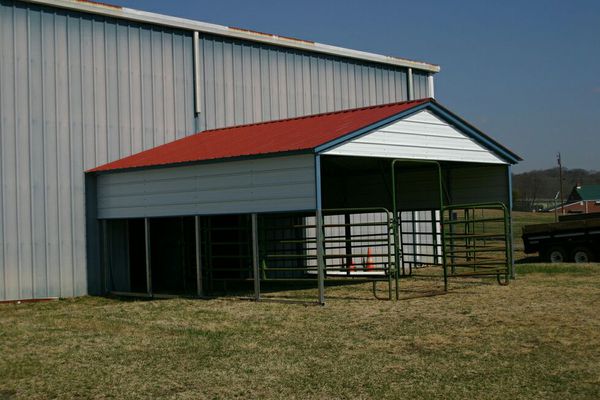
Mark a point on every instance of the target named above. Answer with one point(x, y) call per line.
point(79, 90)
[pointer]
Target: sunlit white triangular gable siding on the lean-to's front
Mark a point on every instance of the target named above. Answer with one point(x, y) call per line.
point(422, 136)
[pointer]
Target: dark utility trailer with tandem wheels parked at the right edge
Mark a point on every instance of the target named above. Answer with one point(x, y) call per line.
point(573, 238)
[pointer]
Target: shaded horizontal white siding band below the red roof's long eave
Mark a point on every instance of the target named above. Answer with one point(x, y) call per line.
point(258, 185)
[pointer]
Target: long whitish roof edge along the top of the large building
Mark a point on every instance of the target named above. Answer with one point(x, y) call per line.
point(240, 33)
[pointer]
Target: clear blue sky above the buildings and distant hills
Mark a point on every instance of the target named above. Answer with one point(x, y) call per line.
point(525, 72)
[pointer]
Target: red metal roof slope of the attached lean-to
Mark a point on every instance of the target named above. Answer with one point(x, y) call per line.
point(287, 135)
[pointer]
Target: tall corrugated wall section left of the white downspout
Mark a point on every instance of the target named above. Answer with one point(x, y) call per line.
point(76, 91)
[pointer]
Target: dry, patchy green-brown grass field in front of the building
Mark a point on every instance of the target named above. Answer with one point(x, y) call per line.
point(537, 338)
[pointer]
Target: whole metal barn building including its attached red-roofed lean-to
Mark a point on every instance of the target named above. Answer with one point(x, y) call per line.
point(287, 154)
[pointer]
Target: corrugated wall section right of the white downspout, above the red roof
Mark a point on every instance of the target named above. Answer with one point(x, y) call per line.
point(245, 83)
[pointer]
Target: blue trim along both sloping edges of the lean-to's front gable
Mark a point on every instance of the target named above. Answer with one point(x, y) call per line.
point(441, 112)
